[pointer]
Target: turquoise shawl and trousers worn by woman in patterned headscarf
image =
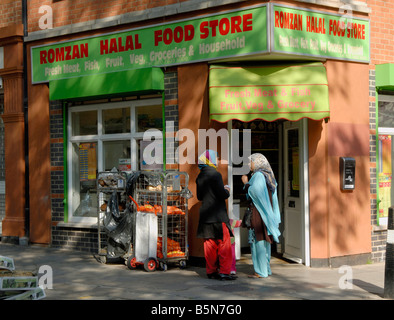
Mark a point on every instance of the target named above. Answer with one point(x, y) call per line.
point(270, 214)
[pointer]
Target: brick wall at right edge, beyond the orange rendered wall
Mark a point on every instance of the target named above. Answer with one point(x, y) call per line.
point(382, 51)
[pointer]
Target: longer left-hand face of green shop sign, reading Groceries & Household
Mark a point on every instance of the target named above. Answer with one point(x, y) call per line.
point(233, 33)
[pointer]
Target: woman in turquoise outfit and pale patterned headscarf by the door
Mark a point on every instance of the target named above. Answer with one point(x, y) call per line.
point(262, 194)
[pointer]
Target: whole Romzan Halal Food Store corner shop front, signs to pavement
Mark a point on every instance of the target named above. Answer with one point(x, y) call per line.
point(274, 77)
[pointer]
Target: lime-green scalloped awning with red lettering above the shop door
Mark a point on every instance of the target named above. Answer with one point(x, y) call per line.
point(287, 92)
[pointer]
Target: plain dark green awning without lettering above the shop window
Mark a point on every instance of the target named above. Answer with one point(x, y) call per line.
point(138, 81)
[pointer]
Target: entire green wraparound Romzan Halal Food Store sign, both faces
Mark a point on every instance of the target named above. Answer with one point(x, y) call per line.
point(261, 29)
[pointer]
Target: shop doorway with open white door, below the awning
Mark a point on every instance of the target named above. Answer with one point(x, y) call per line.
point(284, 145)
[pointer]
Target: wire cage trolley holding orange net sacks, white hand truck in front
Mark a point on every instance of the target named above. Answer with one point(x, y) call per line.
point(160, 230)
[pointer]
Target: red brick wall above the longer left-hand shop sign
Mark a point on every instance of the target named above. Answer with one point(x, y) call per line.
point(67, 12)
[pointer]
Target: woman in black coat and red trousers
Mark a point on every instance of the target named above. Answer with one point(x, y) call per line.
point(214, 224)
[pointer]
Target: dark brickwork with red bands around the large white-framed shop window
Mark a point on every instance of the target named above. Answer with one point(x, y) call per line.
point(77, 238)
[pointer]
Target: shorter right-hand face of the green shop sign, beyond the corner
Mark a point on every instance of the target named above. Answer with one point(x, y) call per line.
point(312, 33)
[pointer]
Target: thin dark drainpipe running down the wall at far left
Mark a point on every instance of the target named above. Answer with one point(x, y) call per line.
point(25, 240)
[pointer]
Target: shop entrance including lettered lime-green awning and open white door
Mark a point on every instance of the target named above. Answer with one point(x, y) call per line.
point(266, 107)
